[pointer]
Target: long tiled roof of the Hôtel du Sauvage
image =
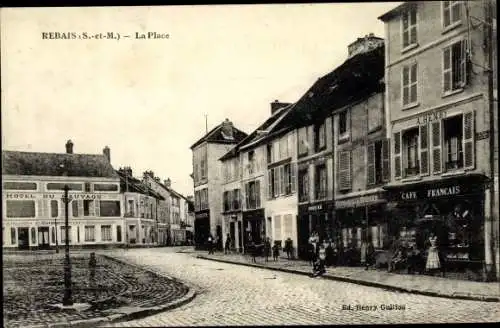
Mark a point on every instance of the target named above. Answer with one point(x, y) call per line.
point(56, 164)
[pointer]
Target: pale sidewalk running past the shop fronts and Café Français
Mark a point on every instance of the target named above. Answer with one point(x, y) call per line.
point(417, 284)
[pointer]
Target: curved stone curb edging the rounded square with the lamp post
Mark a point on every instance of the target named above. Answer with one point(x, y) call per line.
point(143, 312)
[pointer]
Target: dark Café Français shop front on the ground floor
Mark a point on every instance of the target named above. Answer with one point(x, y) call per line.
point(450, 209)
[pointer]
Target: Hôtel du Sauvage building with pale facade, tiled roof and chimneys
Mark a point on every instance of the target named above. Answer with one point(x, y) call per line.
point(32, 199)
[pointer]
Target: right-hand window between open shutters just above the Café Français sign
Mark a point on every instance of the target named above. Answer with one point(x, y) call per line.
point(453, 152)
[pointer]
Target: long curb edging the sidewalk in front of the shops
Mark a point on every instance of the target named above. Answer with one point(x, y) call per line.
point(364, 282)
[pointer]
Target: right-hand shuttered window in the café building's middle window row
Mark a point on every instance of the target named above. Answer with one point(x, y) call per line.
point(455, 66)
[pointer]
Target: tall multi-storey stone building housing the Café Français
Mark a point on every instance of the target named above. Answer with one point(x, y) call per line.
point(439, 59)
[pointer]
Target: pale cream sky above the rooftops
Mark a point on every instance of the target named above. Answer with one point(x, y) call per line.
point(146, 99)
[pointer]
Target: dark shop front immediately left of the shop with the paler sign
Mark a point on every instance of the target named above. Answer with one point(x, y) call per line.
point(318, 217)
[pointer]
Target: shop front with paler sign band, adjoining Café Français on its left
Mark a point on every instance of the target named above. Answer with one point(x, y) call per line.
point(361, 218)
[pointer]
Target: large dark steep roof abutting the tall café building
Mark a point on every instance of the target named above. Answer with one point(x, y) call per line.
point(357, 78)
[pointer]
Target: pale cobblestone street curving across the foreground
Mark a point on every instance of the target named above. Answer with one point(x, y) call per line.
point(237, 295)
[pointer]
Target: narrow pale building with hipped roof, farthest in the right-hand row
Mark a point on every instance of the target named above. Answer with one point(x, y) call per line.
point(208, 180)
